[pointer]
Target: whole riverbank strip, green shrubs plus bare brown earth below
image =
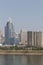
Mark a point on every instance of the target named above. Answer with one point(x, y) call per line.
point(21, 50)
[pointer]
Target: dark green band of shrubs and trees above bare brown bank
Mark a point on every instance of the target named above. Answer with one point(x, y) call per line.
point(21, 48)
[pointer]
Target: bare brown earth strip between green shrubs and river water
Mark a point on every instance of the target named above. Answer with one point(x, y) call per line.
point(21, 52)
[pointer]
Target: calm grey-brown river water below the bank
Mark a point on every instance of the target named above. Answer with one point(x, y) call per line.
point(20, 60)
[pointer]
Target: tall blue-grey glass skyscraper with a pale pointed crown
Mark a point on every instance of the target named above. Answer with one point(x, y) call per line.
point(9, 33)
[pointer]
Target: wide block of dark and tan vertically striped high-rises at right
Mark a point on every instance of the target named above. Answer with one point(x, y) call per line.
point(35, 38)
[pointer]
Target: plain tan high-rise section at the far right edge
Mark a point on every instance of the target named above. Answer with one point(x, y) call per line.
point(39, 39)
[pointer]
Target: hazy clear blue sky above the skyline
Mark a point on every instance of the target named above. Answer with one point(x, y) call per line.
point(25, 14)
